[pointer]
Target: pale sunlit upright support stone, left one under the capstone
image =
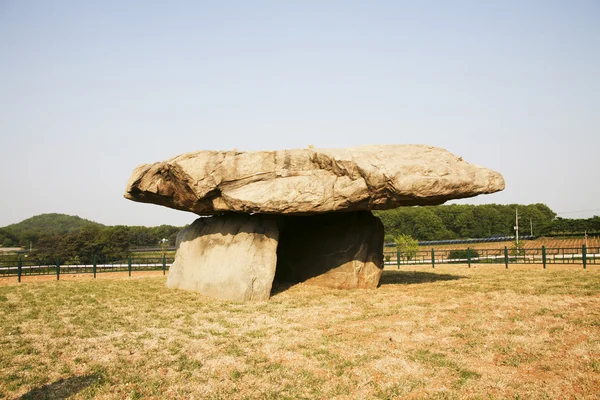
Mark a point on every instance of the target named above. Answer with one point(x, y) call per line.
point(229, 257)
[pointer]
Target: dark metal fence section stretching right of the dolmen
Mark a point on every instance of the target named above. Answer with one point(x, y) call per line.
point(583, 256)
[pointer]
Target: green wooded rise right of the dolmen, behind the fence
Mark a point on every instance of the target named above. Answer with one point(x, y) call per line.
point(469, 221)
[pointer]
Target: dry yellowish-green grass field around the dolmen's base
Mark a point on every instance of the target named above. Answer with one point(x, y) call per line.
point(449, 333)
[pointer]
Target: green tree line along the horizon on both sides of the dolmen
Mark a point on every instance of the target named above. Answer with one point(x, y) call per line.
point(72, 238)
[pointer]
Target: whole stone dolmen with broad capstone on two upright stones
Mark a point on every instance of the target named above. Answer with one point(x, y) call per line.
point(301, 215)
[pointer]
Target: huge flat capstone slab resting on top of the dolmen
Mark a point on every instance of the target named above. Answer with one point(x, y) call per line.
point(310, 181)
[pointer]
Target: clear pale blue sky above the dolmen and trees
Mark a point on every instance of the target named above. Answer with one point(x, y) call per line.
point(91, 89)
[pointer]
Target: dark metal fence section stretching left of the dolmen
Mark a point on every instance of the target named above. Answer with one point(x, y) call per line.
point(20, 266)
